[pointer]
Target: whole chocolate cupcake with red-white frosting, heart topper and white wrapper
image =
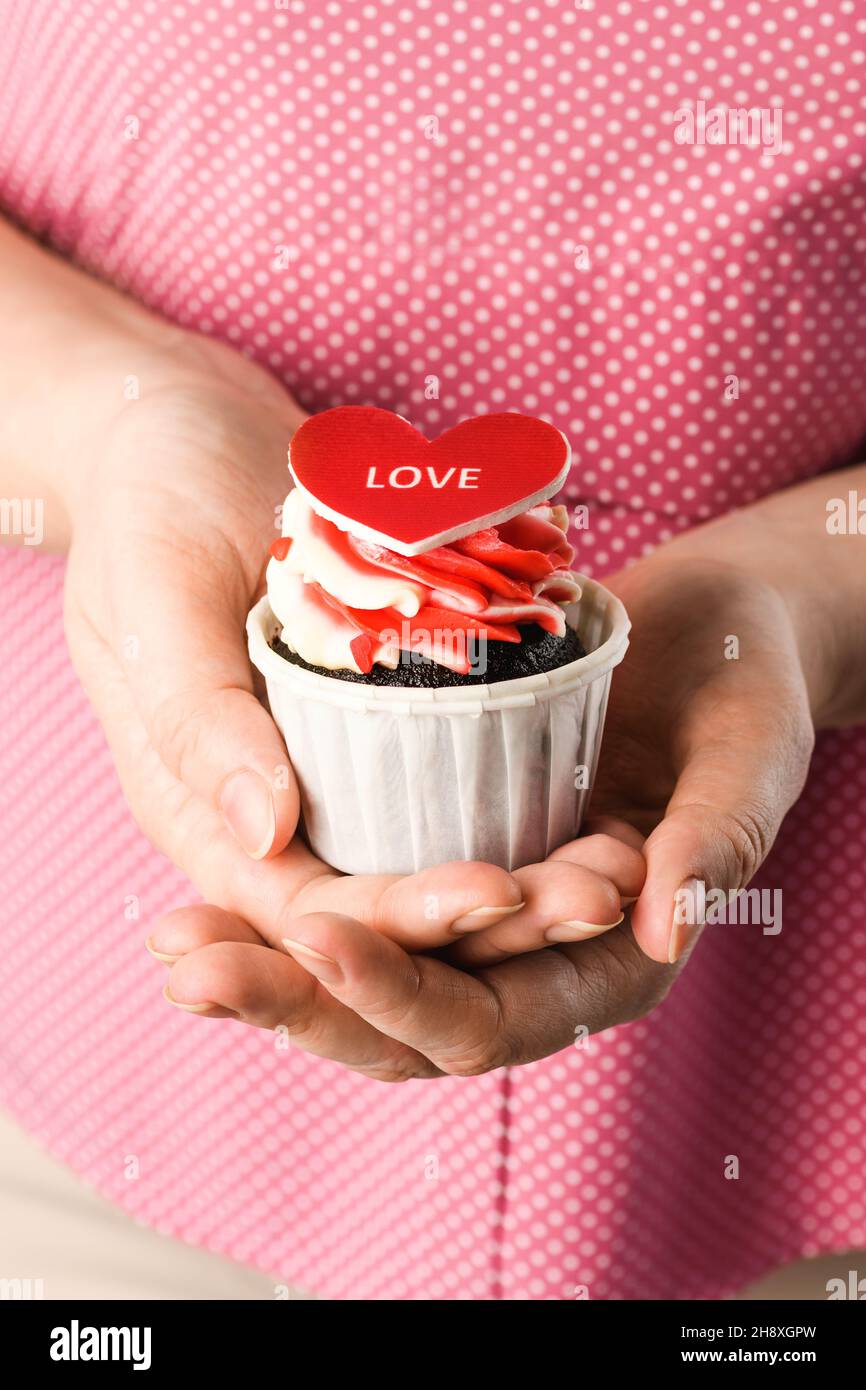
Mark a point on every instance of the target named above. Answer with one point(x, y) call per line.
point(439, 671)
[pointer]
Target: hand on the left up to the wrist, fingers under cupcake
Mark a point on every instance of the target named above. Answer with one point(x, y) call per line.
point(168, 557)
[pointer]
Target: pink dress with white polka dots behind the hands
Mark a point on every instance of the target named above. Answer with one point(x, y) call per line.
point(448, 209)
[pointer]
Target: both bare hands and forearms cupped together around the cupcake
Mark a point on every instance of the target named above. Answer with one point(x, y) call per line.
point(166, 505)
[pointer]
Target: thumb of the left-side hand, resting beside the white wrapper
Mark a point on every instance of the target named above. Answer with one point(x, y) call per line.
point(180, 639)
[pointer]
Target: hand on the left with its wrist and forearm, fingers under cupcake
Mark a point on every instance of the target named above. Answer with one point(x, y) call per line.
point(159, 458)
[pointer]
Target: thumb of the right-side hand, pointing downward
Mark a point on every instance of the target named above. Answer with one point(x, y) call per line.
point(719, 826)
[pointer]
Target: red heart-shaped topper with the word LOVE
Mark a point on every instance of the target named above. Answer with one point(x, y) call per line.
point(373, 475)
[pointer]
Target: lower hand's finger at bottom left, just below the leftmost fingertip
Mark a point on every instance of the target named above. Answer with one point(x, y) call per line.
point(268, 990)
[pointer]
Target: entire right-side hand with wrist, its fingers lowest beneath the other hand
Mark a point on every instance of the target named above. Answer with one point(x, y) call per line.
point(737, 650)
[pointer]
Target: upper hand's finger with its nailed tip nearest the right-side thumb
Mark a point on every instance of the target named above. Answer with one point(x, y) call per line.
point(564, 903)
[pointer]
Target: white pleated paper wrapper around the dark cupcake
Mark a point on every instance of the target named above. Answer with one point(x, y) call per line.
point(395, 780)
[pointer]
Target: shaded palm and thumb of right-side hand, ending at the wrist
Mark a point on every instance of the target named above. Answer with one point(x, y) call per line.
point(710, 730)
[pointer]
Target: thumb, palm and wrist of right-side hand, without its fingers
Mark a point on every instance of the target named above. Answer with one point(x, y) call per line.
point(747, 635)
